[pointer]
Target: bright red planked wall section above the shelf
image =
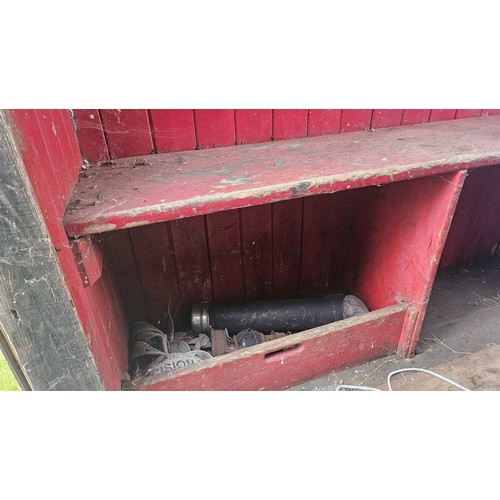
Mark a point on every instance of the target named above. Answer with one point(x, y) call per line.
point(120, 133)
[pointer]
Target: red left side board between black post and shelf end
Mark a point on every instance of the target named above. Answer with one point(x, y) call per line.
point(53, 162)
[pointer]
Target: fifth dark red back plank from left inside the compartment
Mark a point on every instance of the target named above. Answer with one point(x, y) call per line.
point(256, 229)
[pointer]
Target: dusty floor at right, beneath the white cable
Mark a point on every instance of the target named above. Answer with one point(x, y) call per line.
point(460, 337)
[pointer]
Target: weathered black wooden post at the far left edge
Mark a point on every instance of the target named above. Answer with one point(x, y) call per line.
point(37, 317)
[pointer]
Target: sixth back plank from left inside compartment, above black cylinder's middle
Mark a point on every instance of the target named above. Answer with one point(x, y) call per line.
point(287, 240)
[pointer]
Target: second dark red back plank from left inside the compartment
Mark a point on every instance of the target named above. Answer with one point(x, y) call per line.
point(158, 271)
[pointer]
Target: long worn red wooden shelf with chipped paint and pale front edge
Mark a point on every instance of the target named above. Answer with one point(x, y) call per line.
point(143, 190)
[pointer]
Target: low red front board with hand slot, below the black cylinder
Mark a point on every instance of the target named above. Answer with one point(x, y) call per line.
point(310, 354)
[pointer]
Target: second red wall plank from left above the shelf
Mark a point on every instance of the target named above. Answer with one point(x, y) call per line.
point(127, 132)
